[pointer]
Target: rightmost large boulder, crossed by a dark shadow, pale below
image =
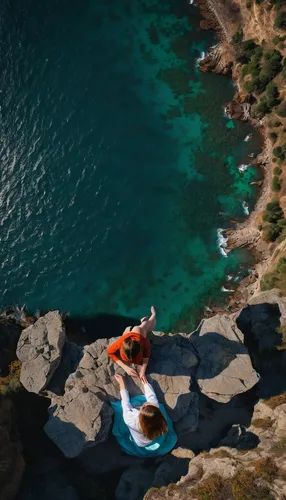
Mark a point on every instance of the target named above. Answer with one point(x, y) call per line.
point(225, 368)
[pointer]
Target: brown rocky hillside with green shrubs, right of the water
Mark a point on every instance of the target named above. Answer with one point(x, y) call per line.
point(253, 50)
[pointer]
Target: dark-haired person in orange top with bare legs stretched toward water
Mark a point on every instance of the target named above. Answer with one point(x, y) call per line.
point(134, 347)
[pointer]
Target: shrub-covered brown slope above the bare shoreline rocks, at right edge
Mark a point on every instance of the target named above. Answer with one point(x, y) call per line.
point(260, 51)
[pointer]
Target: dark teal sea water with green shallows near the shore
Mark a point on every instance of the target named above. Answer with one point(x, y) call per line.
point(118, 165)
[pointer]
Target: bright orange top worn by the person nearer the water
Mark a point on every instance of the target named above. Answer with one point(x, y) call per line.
point(115, 350)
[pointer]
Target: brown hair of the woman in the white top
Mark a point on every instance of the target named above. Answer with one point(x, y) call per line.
point(152, 422)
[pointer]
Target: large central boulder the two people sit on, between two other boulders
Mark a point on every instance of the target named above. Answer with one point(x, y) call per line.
point(83, 416)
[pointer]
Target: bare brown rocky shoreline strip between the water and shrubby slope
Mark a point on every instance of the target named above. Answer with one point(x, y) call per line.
point(220, 60)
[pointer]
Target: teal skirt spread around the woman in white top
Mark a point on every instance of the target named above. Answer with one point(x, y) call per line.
point(159, 446)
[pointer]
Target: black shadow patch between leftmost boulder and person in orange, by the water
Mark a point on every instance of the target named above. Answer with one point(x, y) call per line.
point(84, 330)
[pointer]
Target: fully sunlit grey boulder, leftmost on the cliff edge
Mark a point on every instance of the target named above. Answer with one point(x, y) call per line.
point(39, 350)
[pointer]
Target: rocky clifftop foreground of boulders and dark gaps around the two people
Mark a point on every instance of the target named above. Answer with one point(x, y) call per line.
point(216, 383)
